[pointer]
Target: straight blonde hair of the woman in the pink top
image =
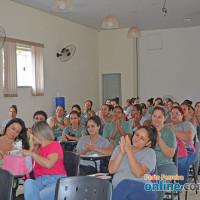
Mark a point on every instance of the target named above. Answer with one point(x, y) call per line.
point(42, 131)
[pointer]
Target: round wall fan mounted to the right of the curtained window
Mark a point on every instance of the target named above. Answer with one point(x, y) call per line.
point(67, 53)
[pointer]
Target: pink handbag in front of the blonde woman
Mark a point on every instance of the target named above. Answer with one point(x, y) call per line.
point(17, 164)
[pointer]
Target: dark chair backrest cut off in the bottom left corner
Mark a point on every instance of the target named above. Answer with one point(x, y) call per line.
point(6, 184)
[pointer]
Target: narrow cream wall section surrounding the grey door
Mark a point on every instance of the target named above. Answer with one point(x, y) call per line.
point(116, 53)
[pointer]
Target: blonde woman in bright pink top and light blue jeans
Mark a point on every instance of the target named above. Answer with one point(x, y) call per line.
point(48, 164)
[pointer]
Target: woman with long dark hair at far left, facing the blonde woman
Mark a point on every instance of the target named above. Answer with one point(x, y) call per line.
point(14, 132)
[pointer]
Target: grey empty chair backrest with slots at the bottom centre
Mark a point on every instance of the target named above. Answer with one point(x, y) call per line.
point(83, 188)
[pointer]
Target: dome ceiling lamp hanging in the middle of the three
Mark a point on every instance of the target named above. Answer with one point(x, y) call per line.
point(110, 21)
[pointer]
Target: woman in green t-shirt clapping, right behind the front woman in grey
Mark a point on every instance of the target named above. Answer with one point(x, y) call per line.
point(166, 146)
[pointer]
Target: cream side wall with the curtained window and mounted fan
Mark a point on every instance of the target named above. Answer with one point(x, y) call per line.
point(76, 80)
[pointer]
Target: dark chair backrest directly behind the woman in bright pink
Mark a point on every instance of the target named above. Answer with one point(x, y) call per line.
point(71, 163)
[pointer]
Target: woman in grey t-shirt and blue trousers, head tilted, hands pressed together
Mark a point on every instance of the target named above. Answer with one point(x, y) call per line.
point(129, 163)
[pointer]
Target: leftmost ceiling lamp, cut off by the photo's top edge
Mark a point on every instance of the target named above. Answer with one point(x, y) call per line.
point(62, 6)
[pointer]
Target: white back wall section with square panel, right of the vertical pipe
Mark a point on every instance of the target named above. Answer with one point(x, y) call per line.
point(174, 69)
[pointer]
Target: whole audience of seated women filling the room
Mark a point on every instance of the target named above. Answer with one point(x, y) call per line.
point(140, 138)
